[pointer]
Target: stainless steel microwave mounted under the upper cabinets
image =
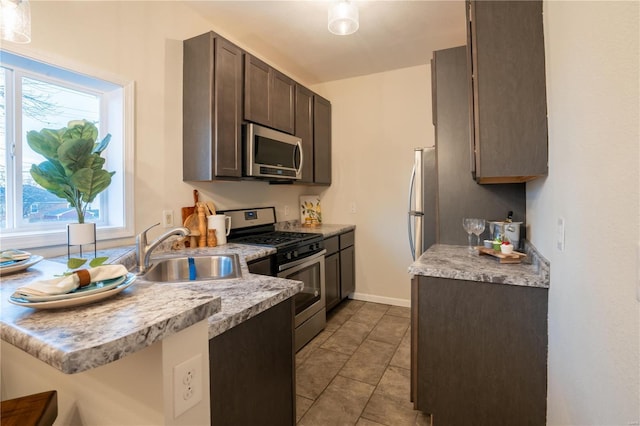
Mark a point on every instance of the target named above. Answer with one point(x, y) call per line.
point(272, 154)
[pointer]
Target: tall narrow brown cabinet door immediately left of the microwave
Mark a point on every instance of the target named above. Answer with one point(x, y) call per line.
point(228, 107)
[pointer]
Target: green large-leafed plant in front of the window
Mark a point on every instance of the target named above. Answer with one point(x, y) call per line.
point(74, 168)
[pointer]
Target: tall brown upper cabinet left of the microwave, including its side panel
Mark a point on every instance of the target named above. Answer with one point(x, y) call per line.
point(212, 109)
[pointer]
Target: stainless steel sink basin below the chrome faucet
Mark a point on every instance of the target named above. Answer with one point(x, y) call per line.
point(177, 269)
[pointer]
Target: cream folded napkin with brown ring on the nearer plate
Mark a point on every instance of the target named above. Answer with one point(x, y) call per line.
point(62, 285)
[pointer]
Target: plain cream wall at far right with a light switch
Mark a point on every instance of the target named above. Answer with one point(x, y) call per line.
point(592, 57)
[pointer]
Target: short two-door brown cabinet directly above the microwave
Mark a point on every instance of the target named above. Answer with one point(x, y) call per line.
point(269, 96)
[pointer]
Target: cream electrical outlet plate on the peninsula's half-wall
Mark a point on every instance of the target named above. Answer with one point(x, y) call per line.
point(187, 385)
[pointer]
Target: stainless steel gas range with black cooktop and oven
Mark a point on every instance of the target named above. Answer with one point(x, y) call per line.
point(299, 256)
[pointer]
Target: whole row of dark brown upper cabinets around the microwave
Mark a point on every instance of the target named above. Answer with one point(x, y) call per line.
point(222, 85)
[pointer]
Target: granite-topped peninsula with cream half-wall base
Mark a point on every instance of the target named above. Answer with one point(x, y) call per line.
point(112, 361)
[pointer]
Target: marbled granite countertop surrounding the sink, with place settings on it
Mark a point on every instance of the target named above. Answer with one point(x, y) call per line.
point(84, 337)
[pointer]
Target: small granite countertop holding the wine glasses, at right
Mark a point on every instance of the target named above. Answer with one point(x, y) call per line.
point(455, 262)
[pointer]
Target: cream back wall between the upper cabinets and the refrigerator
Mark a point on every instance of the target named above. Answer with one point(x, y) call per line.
point(377, 121)
